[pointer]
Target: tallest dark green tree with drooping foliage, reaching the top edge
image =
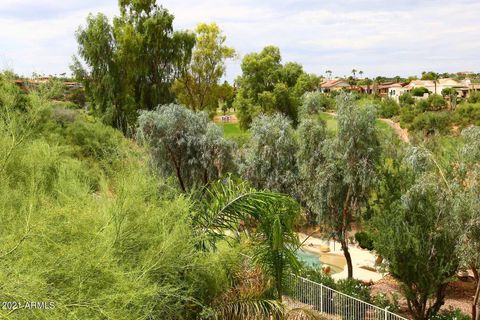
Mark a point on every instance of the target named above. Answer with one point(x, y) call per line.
point(132, 63)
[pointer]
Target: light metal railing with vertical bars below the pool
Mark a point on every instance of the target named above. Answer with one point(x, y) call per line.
point(331, 303)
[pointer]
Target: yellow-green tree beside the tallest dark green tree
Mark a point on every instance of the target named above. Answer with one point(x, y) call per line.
point(199, 87)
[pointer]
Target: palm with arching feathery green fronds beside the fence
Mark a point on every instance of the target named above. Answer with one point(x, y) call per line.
point(224, 204)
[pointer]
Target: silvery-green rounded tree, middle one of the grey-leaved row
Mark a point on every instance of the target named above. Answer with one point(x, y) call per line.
point(269, 160)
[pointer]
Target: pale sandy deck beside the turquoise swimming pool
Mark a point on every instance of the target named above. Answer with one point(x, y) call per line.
point(361, 258)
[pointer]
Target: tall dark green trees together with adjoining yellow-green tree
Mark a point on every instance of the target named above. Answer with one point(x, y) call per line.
point(139, 62)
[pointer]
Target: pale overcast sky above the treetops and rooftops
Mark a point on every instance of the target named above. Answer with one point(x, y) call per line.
point(377, 36)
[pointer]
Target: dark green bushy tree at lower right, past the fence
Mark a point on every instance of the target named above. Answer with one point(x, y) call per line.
point(417, 234)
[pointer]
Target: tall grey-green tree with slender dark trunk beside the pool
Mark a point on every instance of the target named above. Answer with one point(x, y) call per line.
point(348, 171)
